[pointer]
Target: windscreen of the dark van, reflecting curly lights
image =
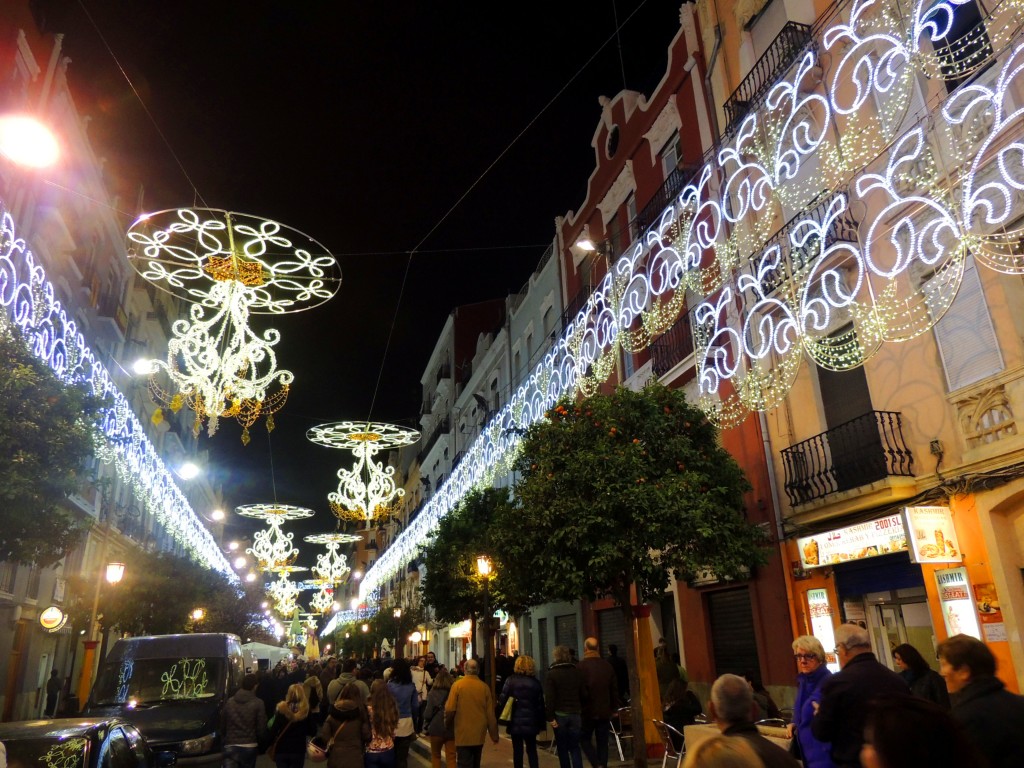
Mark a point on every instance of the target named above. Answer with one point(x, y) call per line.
point(152, 680)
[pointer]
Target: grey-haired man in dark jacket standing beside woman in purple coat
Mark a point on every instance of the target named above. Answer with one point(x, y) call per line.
point(846, 696)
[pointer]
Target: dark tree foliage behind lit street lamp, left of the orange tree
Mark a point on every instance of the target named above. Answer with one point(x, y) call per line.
point(452, 586)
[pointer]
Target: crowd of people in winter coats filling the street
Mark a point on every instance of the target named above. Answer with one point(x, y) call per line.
point(367, 715)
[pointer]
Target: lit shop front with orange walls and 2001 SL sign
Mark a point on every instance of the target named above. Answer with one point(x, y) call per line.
point(916, 577)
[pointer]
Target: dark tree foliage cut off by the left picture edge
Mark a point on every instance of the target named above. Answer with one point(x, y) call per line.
point(47, 436)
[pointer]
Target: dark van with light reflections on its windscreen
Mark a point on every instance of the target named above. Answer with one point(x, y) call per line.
point(174, 690)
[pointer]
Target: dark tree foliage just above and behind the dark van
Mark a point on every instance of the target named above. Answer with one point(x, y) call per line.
point(160, 591)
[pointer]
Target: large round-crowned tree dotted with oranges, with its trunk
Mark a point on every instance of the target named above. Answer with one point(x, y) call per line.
point(619, 492)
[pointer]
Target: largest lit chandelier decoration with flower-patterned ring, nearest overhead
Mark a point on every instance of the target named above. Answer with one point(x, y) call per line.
point(229, 267)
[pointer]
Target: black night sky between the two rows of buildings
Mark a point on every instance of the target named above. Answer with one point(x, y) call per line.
point(361, 124)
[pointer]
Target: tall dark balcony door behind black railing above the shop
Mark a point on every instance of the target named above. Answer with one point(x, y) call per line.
point(855, 441)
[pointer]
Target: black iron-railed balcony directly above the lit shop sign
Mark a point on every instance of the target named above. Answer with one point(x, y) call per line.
point(863, 451)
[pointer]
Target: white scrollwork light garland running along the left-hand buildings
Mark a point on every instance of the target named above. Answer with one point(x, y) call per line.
point(31, 305)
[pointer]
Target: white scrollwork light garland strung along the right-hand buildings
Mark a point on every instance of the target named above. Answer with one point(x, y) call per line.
point(930, 194)
